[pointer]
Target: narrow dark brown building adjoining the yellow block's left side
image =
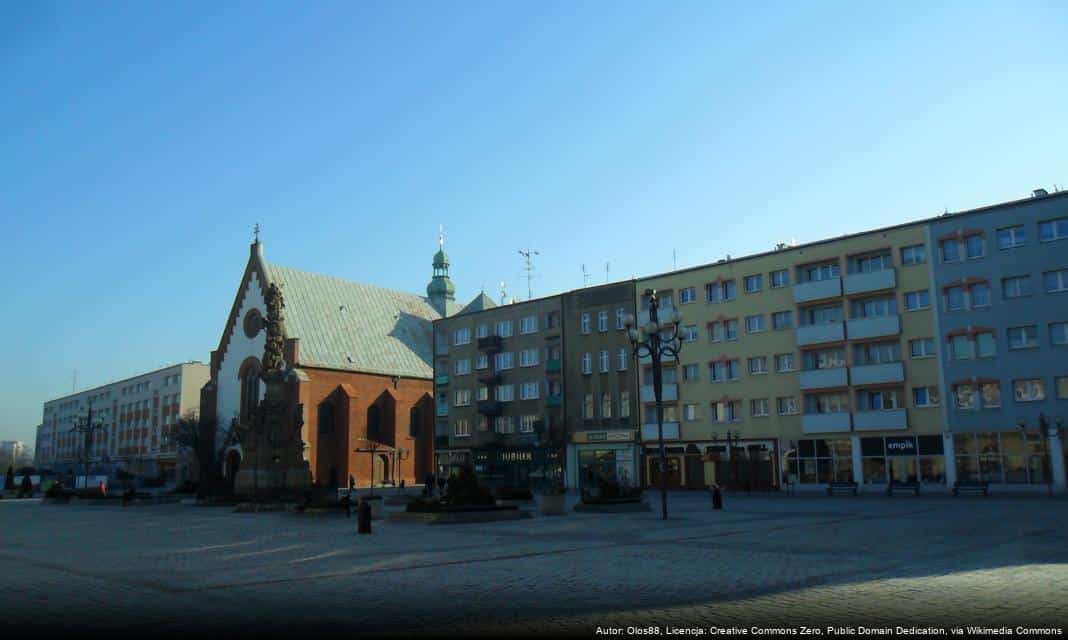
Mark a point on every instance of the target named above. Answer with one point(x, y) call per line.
point(601, 386)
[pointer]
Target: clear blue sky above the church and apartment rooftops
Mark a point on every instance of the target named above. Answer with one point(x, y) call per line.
point(143, 142)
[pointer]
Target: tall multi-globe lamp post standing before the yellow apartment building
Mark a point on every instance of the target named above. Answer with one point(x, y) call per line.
point(651, 340)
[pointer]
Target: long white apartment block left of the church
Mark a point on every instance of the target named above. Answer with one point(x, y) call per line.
point(137, 416)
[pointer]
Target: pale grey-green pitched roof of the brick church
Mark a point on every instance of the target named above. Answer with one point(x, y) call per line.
point(352, 326)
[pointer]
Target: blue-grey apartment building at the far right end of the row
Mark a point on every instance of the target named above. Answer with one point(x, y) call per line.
point(1001, 282)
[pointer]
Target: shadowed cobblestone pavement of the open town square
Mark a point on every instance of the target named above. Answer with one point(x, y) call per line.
point(763, 561)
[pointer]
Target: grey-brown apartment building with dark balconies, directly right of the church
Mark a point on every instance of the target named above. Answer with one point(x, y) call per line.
point(499, 392)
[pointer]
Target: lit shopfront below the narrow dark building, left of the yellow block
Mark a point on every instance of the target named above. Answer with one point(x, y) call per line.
point(596, 457)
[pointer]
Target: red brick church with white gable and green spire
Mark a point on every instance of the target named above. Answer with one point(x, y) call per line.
point(362, 357)
